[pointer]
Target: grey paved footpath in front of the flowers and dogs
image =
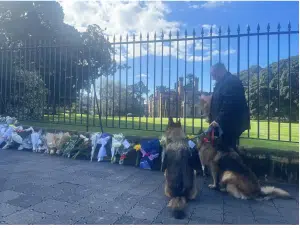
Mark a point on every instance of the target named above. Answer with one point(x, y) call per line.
point(41, 189)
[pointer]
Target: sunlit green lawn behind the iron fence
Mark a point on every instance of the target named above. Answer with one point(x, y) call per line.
point(154, 126)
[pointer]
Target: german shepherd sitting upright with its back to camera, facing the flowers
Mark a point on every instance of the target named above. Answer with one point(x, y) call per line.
point(180, 177)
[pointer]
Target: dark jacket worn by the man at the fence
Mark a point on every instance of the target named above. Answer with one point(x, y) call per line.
point(229, 106)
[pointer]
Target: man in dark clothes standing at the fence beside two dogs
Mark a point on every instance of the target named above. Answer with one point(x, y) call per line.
point(229, 108)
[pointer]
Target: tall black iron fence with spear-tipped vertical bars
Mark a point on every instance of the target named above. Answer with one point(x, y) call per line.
point(137, 82)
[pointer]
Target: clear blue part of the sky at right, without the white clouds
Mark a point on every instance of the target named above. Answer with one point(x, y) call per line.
point(242, 13)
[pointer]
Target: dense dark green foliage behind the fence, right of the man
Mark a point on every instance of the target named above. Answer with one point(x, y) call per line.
point(274, 86)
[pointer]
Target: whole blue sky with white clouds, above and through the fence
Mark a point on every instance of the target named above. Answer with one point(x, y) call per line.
point(133, 17)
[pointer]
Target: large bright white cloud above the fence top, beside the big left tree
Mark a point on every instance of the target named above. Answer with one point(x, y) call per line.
point(119, 17)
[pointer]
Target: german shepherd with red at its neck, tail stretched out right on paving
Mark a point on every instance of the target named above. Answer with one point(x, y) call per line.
point(229, 171)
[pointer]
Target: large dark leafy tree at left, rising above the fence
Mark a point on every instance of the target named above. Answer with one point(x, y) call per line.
point(39, 41)
